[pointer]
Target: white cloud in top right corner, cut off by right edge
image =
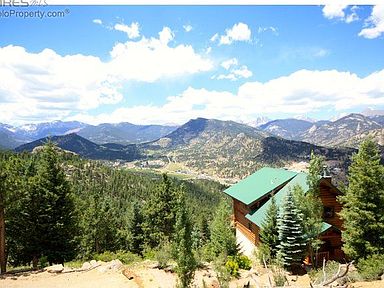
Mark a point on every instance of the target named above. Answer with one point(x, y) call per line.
point(375, 23)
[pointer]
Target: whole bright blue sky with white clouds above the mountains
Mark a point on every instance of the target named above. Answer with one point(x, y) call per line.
point(167, 64)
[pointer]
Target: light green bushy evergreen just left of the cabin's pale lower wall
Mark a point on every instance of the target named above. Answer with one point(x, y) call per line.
point(223, 239)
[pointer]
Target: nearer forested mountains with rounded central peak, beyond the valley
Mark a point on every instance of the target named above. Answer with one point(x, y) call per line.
point(225, 149)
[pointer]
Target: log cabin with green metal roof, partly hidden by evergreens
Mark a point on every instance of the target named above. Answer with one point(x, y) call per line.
point(252, 196)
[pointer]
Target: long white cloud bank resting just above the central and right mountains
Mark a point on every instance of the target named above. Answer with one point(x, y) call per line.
point(301, 92)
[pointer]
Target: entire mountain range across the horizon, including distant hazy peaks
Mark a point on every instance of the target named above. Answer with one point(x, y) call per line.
point(226, 149)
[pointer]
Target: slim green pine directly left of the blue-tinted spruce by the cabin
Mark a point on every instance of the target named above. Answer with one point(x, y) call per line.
point(269, 233)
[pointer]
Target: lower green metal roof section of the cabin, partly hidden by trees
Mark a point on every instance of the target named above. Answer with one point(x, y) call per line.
point(257, 216)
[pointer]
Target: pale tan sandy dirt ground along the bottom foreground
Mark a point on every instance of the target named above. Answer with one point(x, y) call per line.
point(145, 274)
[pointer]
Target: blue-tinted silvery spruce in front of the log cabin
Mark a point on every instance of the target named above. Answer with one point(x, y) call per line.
point(291, 236)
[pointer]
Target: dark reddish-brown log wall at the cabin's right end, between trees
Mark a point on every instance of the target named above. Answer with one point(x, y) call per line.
point(332, 207)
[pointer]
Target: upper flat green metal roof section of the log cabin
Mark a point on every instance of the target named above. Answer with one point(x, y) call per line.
point(259, 183)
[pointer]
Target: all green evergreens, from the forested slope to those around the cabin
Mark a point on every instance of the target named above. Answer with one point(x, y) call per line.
point(56, 207)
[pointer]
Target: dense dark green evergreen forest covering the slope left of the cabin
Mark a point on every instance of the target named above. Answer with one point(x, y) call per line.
point(60, 207)
